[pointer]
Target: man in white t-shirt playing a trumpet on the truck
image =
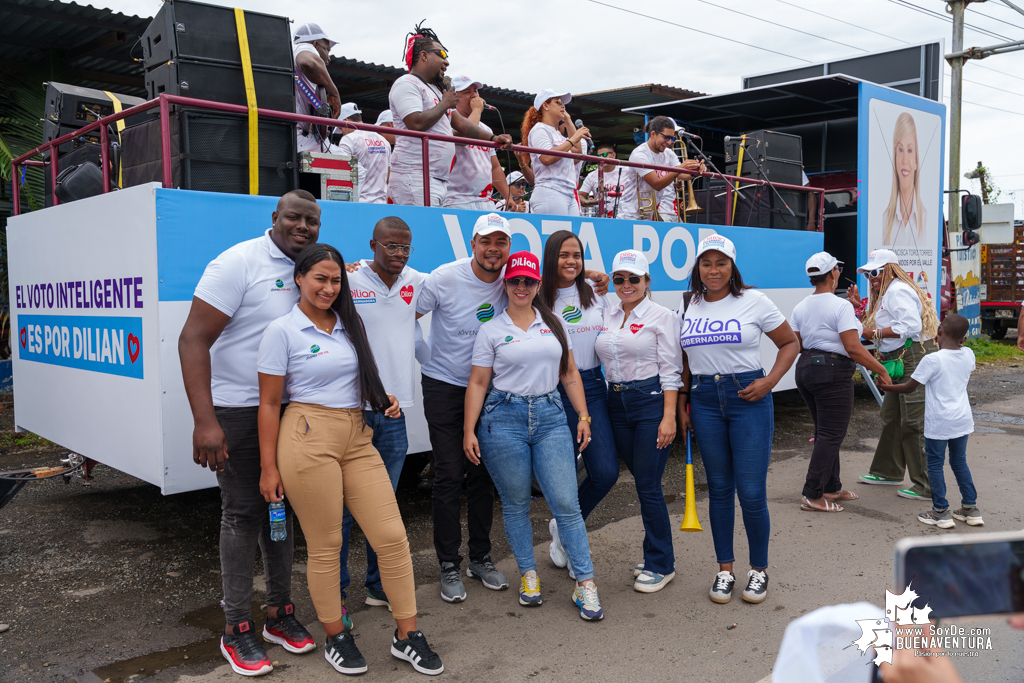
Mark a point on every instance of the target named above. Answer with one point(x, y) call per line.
point(643, 190)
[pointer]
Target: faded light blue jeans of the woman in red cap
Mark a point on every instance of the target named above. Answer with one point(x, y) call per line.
point(522, 437)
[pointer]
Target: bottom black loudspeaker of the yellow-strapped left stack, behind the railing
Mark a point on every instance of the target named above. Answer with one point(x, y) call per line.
point(210, 153)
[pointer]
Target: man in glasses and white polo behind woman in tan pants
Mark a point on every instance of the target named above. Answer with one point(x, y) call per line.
point(386, 291)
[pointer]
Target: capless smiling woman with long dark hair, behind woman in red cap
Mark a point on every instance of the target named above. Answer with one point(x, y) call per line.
point(567, 292)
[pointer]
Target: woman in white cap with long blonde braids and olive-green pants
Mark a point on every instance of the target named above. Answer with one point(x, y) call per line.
point(902, 321)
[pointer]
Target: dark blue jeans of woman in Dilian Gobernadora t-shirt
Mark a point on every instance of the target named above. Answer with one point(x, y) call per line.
point(735, 439)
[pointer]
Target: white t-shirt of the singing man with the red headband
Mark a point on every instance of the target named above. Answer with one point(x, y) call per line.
point(409, 96)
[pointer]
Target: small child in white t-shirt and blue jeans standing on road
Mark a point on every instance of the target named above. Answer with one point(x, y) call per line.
point(948, 421)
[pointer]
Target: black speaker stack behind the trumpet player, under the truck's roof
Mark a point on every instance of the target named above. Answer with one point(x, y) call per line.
point(781, 158)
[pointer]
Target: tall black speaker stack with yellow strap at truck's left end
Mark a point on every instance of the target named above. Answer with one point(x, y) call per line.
point(192, 50)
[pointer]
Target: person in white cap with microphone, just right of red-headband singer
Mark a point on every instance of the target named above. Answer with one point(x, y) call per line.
point(476, 172)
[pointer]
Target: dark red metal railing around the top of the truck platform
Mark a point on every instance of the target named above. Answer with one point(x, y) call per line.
point(165, 102)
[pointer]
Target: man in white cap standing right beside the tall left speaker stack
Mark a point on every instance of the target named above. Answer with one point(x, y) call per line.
point(312, 52)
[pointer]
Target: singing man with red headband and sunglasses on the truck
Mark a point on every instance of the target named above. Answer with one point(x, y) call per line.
point(420, 101)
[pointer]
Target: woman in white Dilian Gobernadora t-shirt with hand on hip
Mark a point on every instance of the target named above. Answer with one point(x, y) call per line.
point(733, 413)
